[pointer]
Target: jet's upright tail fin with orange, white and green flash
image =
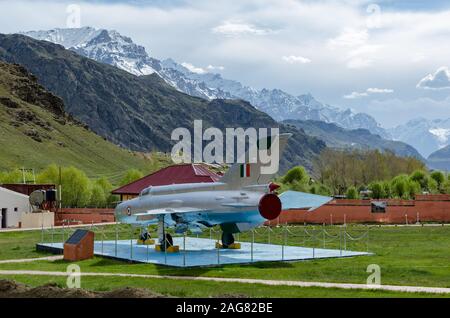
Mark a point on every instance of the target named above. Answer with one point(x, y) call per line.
point(245, 174)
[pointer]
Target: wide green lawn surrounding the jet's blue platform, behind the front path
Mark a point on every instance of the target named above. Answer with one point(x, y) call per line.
point(415, 256)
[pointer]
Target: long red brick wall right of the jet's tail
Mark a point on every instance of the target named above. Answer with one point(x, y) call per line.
point(427, 208)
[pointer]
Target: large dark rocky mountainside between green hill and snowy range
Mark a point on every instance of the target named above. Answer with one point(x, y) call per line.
point(134, 112)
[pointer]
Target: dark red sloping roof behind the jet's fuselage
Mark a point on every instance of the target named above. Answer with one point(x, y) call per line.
point(185, 173)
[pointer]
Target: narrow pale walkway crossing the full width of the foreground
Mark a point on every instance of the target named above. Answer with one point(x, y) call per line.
point(409, 289)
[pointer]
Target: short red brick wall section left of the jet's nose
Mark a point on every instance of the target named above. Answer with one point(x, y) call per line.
point(84, 216)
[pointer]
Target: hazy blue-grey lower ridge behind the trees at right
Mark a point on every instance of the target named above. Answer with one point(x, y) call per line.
point(337, 137)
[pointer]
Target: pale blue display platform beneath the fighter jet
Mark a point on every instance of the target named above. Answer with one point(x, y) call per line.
point(202, 252)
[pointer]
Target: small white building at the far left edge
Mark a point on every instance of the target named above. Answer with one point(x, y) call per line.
point(13, 205)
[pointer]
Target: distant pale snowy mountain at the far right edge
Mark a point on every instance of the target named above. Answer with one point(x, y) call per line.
point(425, 135)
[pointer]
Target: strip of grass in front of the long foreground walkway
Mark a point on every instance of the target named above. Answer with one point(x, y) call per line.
point(189, 288)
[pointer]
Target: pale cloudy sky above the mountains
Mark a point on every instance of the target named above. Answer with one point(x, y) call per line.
point(387, 58)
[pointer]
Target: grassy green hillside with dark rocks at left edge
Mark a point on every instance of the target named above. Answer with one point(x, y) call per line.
point(35, 132)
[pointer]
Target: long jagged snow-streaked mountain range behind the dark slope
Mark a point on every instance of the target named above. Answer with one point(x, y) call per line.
point(112, 48)
